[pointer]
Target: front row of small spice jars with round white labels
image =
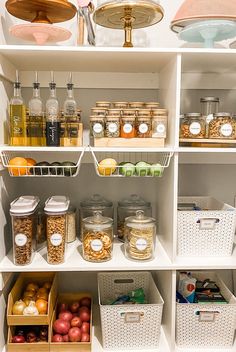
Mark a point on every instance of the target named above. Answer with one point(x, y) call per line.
point(143, 126)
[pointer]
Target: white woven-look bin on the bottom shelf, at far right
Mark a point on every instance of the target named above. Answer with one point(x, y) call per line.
point(214, 328)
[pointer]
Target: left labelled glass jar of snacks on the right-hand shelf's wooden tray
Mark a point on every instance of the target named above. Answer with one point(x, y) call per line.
point(193, 126)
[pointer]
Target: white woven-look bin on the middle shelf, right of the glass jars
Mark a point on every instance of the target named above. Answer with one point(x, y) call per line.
point(209, 232)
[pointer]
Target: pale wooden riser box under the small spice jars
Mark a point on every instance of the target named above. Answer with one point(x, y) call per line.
point(130, 142)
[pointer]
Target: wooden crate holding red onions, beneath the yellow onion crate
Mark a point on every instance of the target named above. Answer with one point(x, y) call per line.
point(25, 347)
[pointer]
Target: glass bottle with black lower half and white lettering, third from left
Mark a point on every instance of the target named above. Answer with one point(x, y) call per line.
point(52, 117)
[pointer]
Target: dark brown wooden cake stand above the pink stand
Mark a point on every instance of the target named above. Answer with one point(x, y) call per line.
point(42, 11)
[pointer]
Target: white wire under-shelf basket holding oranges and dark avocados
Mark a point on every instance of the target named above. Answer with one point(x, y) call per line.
point(23, 164)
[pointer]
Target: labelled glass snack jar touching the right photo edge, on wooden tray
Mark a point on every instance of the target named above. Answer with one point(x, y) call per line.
point(222, 126)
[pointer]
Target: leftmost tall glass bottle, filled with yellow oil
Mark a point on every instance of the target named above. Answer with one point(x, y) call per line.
point(17, 112)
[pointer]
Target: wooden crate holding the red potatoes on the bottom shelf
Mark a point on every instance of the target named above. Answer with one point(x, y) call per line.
point(70, 346)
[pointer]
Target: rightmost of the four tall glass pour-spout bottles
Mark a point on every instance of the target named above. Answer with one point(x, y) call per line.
point(71, 117)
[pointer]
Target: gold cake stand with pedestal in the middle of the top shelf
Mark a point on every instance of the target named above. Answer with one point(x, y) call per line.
point(128, 15)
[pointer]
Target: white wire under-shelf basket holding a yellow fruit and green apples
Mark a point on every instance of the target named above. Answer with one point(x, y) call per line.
point(131, 164)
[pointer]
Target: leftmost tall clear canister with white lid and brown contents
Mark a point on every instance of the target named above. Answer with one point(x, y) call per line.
point(23, 212)
